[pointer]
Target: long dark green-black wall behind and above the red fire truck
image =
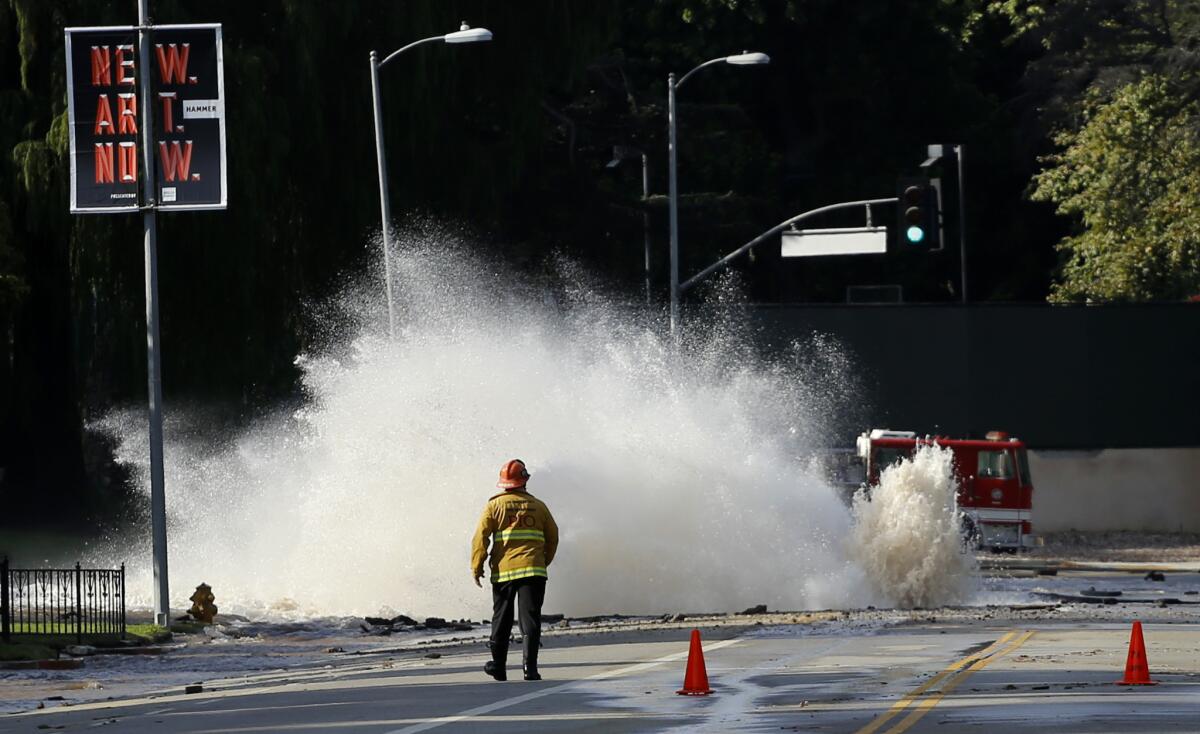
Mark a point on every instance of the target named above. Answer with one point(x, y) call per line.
point(1060, 377)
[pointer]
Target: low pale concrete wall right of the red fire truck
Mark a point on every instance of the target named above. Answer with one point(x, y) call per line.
point(1117, 490)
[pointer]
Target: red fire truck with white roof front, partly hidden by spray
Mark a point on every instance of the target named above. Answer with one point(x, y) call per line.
point(995, 488)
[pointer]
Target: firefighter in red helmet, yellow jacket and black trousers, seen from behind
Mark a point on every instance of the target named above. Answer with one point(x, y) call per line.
point(524, 539)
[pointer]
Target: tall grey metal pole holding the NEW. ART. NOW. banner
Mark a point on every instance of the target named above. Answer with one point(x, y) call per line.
point(154, 359)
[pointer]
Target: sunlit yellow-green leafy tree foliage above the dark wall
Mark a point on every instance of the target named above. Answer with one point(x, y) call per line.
point(1132, 176)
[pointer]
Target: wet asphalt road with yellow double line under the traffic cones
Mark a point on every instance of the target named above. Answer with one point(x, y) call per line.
point(998, 672)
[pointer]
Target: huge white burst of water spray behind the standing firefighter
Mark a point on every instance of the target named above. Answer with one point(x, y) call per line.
point(676, 476)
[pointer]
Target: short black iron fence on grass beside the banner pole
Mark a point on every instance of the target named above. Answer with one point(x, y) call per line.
point(62, 601)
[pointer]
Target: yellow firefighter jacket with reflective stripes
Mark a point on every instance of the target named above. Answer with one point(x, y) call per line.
point(524, 537)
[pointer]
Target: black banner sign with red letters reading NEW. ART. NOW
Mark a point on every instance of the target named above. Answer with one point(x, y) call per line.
point(104, 109)
